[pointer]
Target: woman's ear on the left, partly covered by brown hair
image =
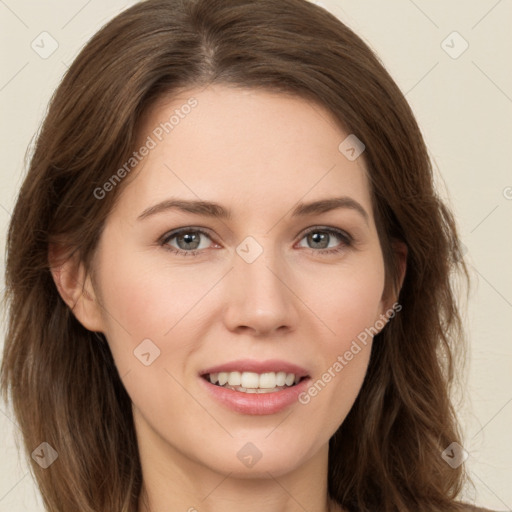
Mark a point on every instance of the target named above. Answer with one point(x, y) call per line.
point(75, 287)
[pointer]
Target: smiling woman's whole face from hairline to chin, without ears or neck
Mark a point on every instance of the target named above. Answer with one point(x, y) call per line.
point(283, 275)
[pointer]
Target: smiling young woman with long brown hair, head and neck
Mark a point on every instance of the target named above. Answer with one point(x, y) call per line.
point(228, 274)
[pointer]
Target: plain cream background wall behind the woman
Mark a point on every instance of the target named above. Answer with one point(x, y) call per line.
point(463, 103)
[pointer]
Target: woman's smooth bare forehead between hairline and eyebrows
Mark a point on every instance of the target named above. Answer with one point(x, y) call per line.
point(243, 147)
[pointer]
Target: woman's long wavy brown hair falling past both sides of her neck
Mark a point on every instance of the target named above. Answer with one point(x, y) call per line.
point(386, 455)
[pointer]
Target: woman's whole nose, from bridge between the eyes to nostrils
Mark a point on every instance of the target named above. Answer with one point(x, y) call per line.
point(258, 296)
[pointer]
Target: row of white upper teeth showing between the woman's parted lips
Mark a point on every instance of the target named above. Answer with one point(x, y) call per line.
point(252, 382)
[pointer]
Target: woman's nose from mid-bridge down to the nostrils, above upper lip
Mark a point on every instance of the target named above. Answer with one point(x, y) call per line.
point(259, 297)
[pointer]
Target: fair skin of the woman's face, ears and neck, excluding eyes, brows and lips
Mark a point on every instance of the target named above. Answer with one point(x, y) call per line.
point(258, 154)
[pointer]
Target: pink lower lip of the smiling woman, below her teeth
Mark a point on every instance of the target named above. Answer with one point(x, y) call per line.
point(257, 403)
